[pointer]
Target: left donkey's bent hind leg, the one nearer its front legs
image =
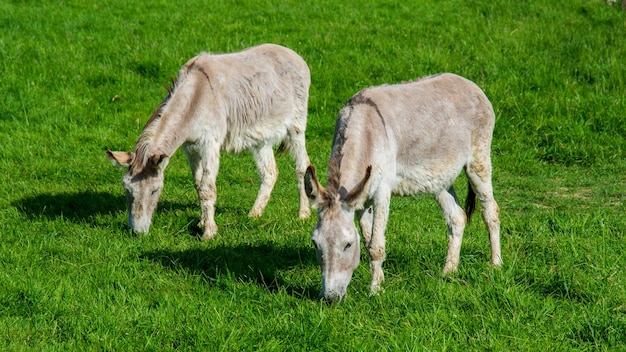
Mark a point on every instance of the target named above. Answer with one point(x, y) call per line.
point(268, 173)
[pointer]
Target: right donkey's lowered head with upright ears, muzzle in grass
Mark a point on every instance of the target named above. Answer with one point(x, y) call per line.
point(335, 236)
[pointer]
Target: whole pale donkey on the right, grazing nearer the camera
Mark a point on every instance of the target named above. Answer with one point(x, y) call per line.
point(406, 139)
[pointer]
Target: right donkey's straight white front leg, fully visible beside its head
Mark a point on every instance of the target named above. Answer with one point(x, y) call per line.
point(376, 246)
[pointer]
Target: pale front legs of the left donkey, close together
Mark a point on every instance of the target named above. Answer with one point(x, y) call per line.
point(204, 172)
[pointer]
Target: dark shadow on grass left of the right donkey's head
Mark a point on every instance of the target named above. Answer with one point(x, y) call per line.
point(265, 265)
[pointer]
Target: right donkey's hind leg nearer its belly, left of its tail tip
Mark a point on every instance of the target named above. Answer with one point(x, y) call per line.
point(455, 219)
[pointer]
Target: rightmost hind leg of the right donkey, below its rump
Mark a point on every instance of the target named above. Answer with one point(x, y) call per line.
point(479, 175)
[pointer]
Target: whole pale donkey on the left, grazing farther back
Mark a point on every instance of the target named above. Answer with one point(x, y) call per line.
point(252, 99)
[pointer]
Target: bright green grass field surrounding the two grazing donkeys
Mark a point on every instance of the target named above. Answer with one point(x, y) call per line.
point(78, 78)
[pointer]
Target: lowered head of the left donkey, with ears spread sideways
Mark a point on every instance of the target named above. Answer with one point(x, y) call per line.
point(143, 182)
